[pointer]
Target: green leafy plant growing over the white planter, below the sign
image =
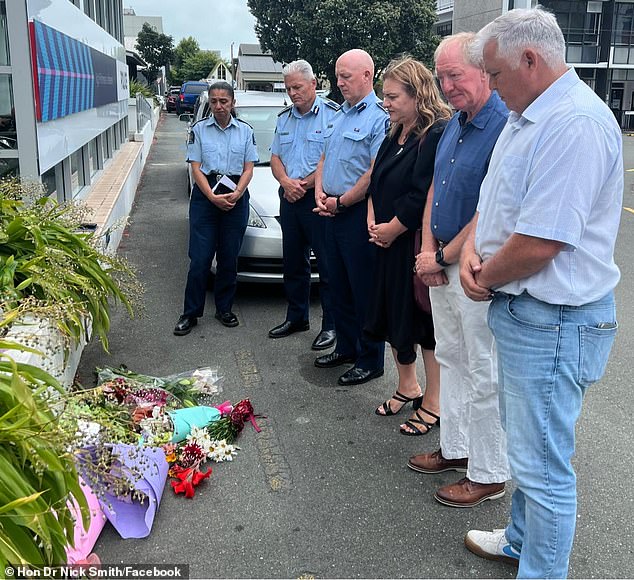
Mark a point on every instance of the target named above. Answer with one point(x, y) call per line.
point(48, 267)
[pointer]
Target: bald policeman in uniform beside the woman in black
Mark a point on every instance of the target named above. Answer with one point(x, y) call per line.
point(341, 183)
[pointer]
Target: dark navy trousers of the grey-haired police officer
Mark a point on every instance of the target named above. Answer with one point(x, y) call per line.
point(302, 230)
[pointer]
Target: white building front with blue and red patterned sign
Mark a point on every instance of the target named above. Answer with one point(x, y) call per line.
point(63, 91)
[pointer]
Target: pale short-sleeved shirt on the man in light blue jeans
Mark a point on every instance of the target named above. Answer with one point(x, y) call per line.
point(556, 173)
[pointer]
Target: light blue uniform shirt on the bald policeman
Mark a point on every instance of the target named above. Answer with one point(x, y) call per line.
point(352, 142)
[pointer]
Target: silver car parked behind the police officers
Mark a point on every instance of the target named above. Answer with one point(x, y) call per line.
point(260, 258)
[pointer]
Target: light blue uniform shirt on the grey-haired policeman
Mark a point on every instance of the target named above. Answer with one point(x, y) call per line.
point(299, 139)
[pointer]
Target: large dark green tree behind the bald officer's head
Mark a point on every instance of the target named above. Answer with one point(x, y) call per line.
point(320, 30)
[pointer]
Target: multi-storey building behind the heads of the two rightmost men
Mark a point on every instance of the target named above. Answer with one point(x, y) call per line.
point(599, 40)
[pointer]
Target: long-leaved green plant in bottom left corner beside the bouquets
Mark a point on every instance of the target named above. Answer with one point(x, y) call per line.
point(37, 473)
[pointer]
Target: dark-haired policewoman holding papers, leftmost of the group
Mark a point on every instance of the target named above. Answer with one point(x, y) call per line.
point(219, 146)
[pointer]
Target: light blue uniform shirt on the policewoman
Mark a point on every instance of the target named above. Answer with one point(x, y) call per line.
point(220, 150)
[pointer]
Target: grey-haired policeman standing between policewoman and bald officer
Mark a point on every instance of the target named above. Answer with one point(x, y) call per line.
point(296, 150)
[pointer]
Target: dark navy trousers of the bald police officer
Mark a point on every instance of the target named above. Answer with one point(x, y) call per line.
point(351, 268)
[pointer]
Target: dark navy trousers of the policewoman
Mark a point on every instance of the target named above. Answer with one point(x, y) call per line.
point(213, 232)
